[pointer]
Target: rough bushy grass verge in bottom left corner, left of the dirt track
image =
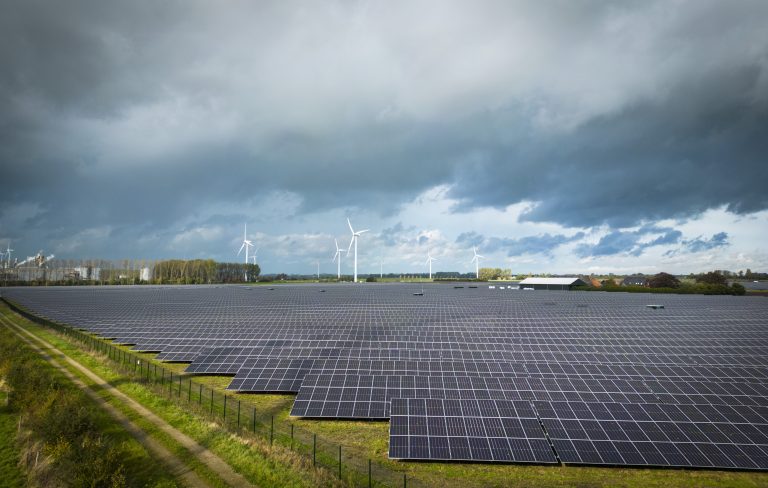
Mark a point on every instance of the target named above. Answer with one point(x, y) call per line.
point(58, 431)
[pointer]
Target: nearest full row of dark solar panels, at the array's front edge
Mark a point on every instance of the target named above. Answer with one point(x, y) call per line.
point(710, 436)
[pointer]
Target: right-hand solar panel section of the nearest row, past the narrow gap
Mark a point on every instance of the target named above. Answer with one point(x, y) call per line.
point(702, 436)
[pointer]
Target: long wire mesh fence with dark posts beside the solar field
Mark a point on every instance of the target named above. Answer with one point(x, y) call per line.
point(236, 415)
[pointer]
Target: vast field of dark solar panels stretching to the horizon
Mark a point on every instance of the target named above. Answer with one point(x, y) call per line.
point(471, 373)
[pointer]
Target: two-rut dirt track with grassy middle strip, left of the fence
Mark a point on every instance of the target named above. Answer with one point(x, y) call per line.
point(178, 467)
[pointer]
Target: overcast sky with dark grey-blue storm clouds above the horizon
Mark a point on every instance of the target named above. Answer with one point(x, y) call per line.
point(556, 136)
